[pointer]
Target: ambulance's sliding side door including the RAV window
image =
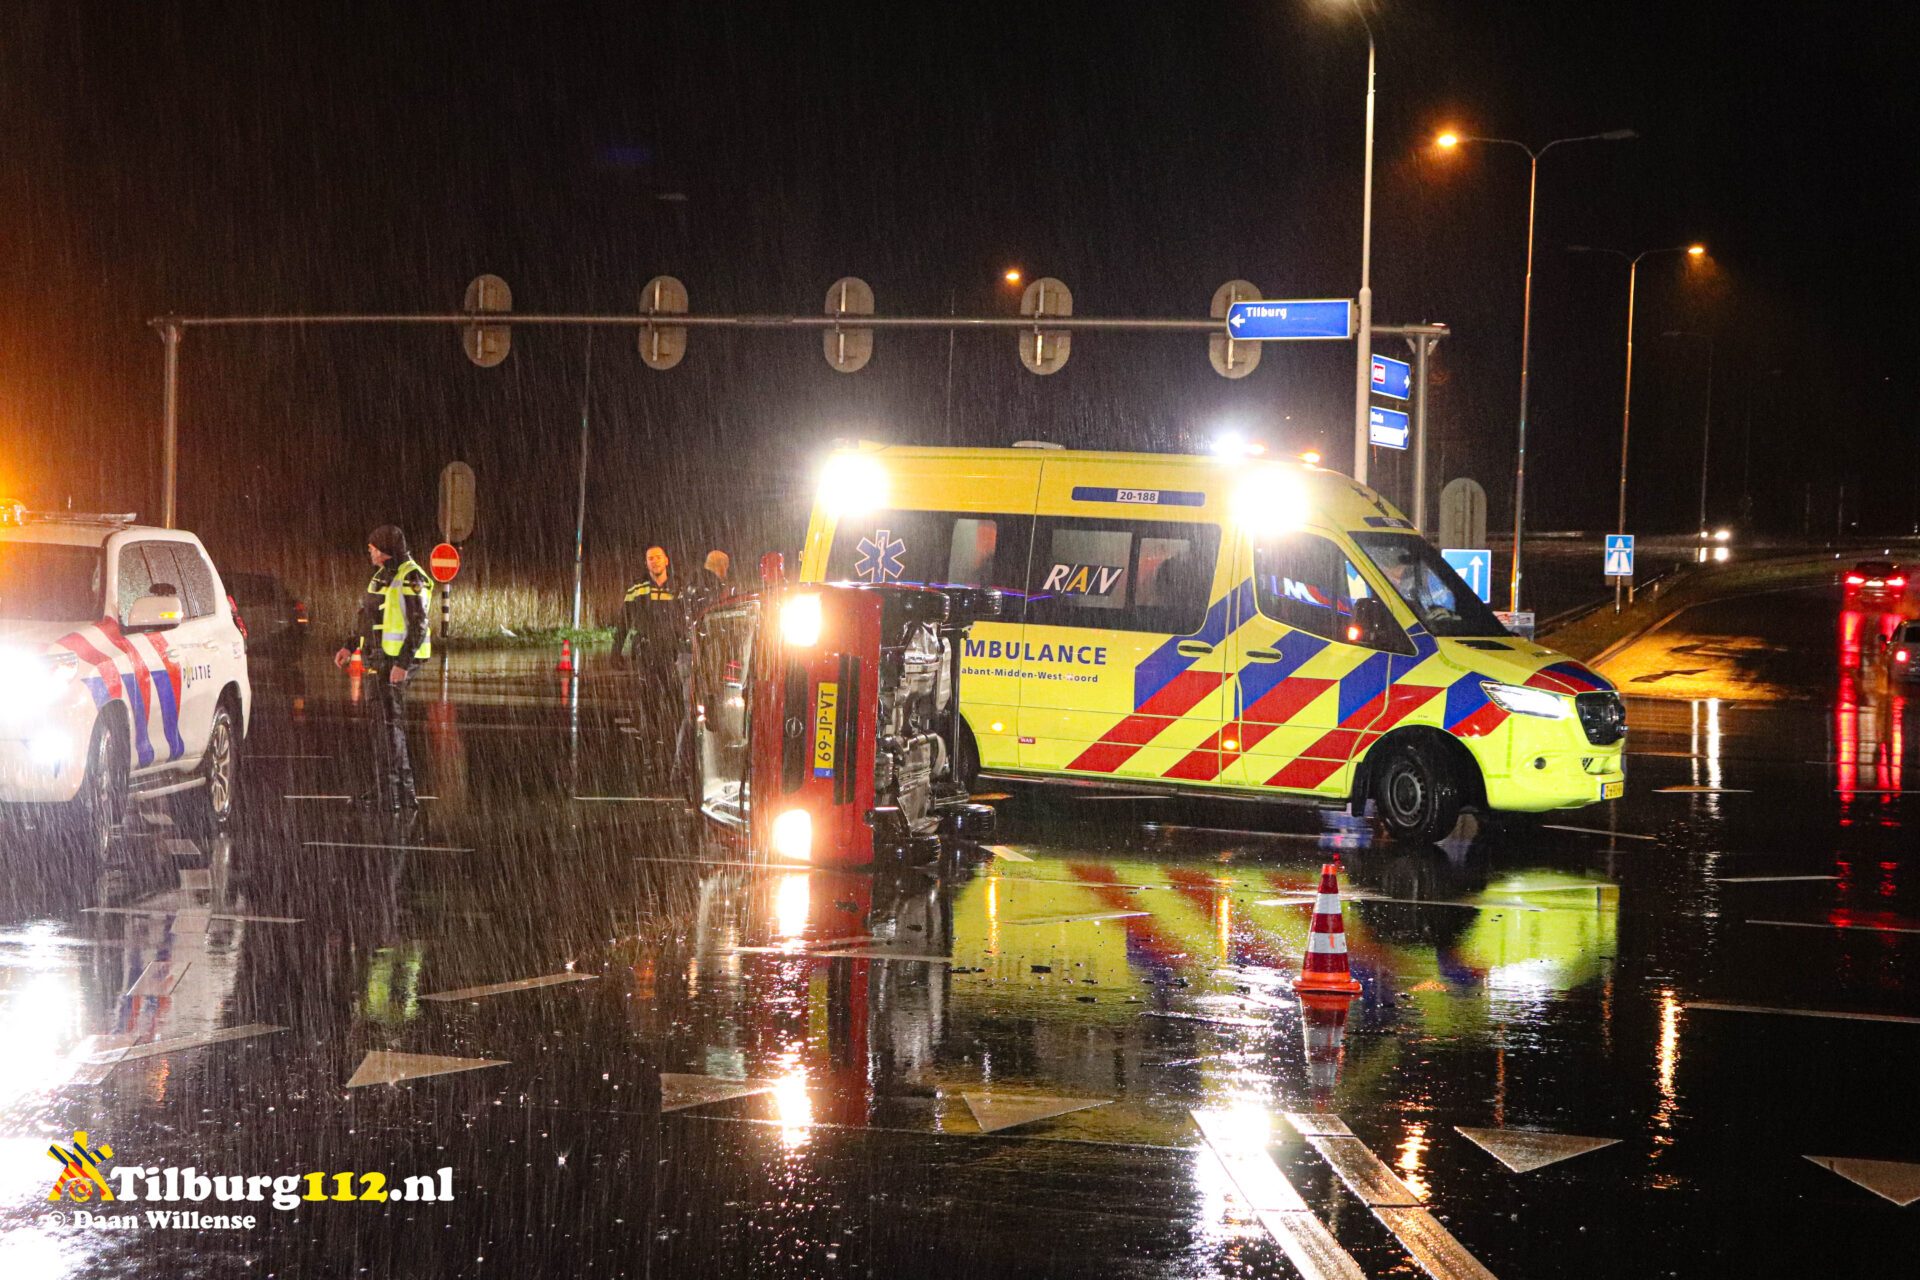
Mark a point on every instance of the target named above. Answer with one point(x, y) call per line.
point(1124, 657)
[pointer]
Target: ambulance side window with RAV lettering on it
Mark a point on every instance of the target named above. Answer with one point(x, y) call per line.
point(1122, 577)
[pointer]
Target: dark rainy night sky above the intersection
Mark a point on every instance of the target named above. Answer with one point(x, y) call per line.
point(318, 158)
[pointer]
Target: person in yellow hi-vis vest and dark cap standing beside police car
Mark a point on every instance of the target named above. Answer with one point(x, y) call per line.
point(393, 632)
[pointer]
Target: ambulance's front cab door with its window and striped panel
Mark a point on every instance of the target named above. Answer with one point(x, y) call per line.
point(1305, 694)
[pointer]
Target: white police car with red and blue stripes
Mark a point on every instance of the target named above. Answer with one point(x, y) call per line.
point(122, 673)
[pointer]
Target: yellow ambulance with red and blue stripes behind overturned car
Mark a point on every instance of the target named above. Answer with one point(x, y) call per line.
point(1251, 628)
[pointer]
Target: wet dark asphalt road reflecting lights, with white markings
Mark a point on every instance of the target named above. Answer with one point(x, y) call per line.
point(704, 1089)
